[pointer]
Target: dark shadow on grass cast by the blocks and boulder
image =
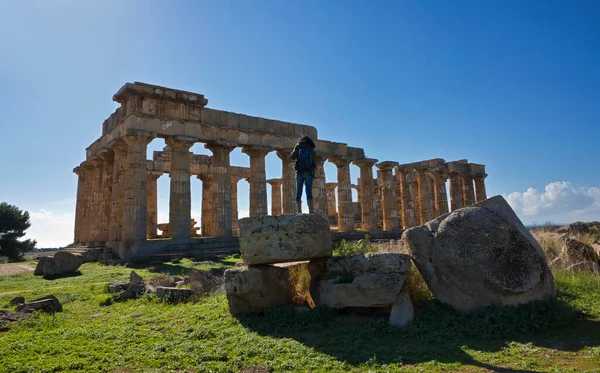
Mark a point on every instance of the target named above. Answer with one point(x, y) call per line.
point(438, 333)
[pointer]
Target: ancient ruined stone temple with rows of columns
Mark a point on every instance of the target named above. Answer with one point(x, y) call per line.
point(117, 187)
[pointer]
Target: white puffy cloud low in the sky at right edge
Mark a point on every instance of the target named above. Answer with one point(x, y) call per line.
point(559, 202)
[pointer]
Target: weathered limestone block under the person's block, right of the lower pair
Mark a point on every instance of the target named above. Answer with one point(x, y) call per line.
point(363, 280)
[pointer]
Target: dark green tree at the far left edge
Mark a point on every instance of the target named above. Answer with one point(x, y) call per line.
point(13, 223)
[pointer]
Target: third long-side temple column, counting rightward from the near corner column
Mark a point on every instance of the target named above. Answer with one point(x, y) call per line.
point(221, 189)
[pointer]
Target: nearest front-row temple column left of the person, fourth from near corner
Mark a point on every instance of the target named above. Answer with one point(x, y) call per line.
point(257, 180)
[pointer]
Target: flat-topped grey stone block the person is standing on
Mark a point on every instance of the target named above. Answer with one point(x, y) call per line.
point(284, 238)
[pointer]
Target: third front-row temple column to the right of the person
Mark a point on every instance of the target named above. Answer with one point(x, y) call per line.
point(367, 197)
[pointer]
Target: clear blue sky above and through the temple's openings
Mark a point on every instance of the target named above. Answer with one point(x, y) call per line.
point(514, 85)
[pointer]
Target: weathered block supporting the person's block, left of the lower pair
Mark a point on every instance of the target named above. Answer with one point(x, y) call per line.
point(253, 289)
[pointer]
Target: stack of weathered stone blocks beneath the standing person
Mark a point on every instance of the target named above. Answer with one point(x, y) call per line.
point(275, 250)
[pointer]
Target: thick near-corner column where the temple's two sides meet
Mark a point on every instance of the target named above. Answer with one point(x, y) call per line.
point(134, 207)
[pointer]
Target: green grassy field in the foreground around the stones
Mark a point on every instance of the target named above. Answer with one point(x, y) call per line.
point(147, 335)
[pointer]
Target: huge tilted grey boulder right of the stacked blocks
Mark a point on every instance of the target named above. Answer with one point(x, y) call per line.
point(480, 255)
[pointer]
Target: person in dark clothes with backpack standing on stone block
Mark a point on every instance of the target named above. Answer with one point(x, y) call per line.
point(304, 154)
